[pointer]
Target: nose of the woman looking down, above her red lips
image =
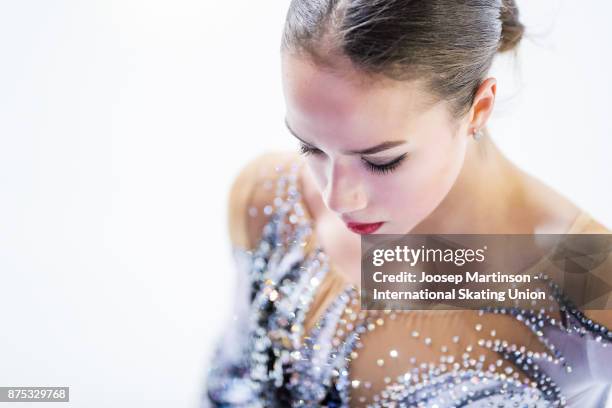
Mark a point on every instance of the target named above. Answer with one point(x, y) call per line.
point(343, 192)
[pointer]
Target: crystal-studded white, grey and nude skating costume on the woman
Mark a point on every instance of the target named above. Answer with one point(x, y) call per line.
point(299, 337)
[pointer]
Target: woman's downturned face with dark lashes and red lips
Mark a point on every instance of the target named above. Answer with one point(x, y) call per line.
point(378, 151)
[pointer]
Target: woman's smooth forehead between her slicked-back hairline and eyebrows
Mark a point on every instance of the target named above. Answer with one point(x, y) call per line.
point(322, 99)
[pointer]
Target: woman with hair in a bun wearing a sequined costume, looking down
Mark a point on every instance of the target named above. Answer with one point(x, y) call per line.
point(390, 100)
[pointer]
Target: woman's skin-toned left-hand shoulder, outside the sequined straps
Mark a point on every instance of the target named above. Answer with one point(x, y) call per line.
point(251, 191)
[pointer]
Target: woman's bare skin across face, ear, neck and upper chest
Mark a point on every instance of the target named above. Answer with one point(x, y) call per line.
point(448, 183)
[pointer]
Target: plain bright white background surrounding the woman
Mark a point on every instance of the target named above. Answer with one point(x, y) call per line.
point(122, 124)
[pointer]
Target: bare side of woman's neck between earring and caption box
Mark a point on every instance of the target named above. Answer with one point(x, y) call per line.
point(486, 198)
